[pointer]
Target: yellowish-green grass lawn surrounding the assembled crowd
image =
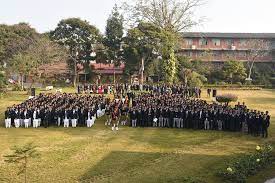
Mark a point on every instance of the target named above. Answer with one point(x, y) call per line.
point(132, 155)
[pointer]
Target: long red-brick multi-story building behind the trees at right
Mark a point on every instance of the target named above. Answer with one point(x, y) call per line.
point(221, 47)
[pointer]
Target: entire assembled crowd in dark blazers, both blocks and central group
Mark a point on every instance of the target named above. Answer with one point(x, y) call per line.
point(160, 106)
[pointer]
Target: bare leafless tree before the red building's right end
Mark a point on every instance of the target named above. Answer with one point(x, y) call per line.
point(256, 48)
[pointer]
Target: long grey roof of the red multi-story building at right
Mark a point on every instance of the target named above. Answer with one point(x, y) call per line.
point(228, 35)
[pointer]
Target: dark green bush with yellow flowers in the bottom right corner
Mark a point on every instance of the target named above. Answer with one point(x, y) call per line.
point(239, 169)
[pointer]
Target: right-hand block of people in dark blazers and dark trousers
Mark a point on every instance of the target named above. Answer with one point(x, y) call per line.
point(178, 111)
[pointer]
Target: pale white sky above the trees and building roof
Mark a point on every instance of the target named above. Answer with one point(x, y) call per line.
point(218, 15)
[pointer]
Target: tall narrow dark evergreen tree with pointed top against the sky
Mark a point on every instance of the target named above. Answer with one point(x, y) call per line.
point(113, 36)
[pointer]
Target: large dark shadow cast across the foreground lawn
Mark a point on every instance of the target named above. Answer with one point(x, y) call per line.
point(122, 166)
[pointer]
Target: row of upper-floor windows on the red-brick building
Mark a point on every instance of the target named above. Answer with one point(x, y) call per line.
point(216, 42)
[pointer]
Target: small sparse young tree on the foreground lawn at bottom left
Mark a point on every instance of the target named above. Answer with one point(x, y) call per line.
point(21, 156)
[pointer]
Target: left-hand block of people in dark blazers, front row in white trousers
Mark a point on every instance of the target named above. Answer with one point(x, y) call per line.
point(56, 109)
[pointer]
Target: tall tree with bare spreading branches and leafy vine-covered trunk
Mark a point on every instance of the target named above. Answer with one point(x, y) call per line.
point(171, 17)
